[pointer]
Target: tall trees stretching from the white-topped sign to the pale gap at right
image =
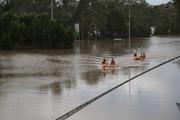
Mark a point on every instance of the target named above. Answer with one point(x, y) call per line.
point(109, 18)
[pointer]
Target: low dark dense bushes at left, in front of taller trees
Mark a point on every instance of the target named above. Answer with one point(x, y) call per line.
point(34, 31)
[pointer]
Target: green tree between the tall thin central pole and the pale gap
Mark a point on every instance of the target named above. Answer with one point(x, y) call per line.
point(140, 19)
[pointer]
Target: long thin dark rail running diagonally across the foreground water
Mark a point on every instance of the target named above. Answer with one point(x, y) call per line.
point(80, 107)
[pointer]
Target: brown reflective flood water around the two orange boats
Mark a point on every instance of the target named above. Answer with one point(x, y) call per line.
point(45, 84)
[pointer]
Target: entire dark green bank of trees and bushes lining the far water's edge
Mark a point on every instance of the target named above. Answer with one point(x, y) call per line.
point(28, 24)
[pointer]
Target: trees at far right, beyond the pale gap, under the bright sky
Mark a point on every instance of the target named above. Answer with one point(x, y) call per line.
point(166, 19)
